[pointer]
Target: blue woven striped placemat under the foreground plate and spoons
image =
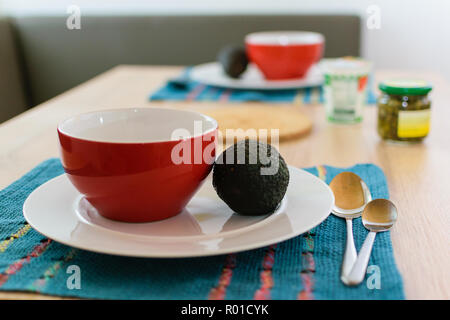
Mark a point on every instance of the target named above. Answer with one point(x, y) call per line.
point(305, 267)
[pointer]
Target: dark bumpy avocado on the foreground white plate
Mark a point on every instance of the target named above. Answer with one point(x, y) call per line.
point(243, 188)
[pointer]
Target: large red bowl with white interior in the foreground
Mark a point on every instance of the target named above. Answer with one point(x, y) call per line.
point(138, 165)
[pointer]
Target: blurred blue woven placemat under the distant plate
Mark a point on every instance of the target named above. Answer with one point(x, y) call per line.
point(195, 91)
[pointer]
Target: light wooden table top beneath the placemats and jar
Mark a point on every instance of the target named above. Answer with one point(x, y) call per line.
point(418, 175)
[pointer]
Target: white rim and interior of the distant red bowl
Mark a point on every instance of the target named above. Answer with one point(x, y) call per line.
point(284, 38)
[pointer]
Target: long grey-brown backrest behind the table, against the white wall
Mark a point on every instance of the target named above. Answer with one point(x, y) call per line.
point(57, 58)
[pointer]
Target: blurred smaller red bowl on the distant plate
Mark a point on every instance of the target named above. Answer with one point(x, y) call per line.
point(284, 54)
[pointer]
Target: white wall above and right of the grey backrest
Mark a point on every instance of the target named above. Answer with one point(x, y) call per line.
point(414, 34)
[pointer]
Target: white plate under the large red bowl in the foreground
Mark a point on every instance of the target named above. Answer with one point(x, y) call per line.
point(206, 227)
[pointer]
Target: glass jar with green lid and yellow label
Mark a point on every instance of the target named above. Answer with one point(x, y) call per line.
point(404, 110)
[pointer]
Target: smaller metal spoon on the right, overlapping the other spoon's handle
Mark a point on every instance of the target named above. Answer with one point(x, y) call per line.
point(378, 216)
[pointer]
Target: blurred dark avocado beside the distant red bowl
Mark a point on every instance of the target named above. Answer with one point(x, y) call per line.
point(234, 60)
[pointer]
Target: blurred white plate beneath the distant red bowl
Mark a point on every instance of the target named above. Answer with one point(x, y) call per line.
point(212, 74)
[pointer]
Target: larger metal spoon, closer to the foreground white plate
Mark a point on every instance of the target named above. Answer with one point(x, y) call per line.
point(351, 196)
